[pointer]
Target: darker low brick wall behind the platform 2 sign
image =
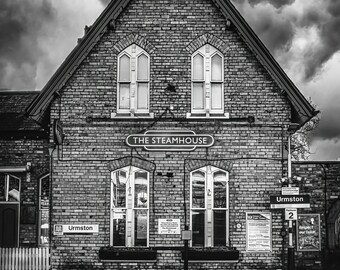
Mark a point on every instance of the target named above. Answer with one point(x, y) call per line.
point(321, 182)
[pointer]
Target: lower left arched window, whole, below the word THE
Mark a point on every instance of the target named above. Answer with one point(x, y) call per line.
point(129, 207)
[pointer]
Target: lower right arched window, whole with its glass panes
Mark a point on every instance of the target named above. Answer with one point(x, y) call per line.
point(209, 207)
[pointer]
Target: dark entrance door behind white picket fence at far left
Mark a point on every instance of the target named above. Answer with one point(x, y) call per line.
point(9, 216)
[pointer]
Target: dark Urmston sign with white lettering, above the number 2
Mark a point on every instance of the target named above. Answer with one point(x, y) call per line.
point(290, 201)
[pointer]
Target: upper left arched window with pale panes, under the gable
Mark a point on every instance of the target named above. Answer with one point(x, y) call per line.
point(133, 81)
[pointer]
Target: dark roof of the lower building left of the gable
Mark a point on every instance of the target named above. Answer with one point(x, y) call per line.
point(13, 121)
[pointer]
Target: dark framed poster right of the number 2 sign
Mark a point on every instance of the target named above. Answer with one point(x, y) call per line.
point(308, 232)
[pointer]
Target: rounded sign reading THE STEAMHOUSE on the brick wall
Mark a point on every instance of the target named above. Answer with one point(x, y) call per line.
point(170, 140)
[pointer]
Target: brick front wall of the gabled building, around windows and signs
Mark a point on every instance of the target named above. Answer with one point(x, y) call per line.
point(252, 153)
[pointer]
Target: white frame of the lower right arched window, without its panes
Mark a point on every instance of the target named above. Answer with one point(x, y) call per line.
point(209, 205)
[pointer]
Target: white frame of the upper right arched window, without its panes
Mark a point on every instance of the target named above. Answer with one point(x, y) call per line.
point(207, 51)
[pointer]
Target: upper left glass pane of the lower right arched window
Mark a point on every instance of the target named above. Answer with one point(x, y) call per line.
point(198, 189)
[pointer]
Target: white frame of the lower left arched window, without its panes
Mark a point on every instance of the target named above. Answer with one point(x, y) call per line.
point(129, 208)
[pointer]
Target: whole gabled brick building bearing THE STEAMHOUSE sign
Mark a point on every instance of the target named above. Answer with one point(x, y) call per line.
point(168, 121)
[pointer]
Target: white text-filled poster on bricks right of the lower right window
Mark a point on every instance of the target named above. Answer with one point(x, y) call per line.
point(259, 231)
